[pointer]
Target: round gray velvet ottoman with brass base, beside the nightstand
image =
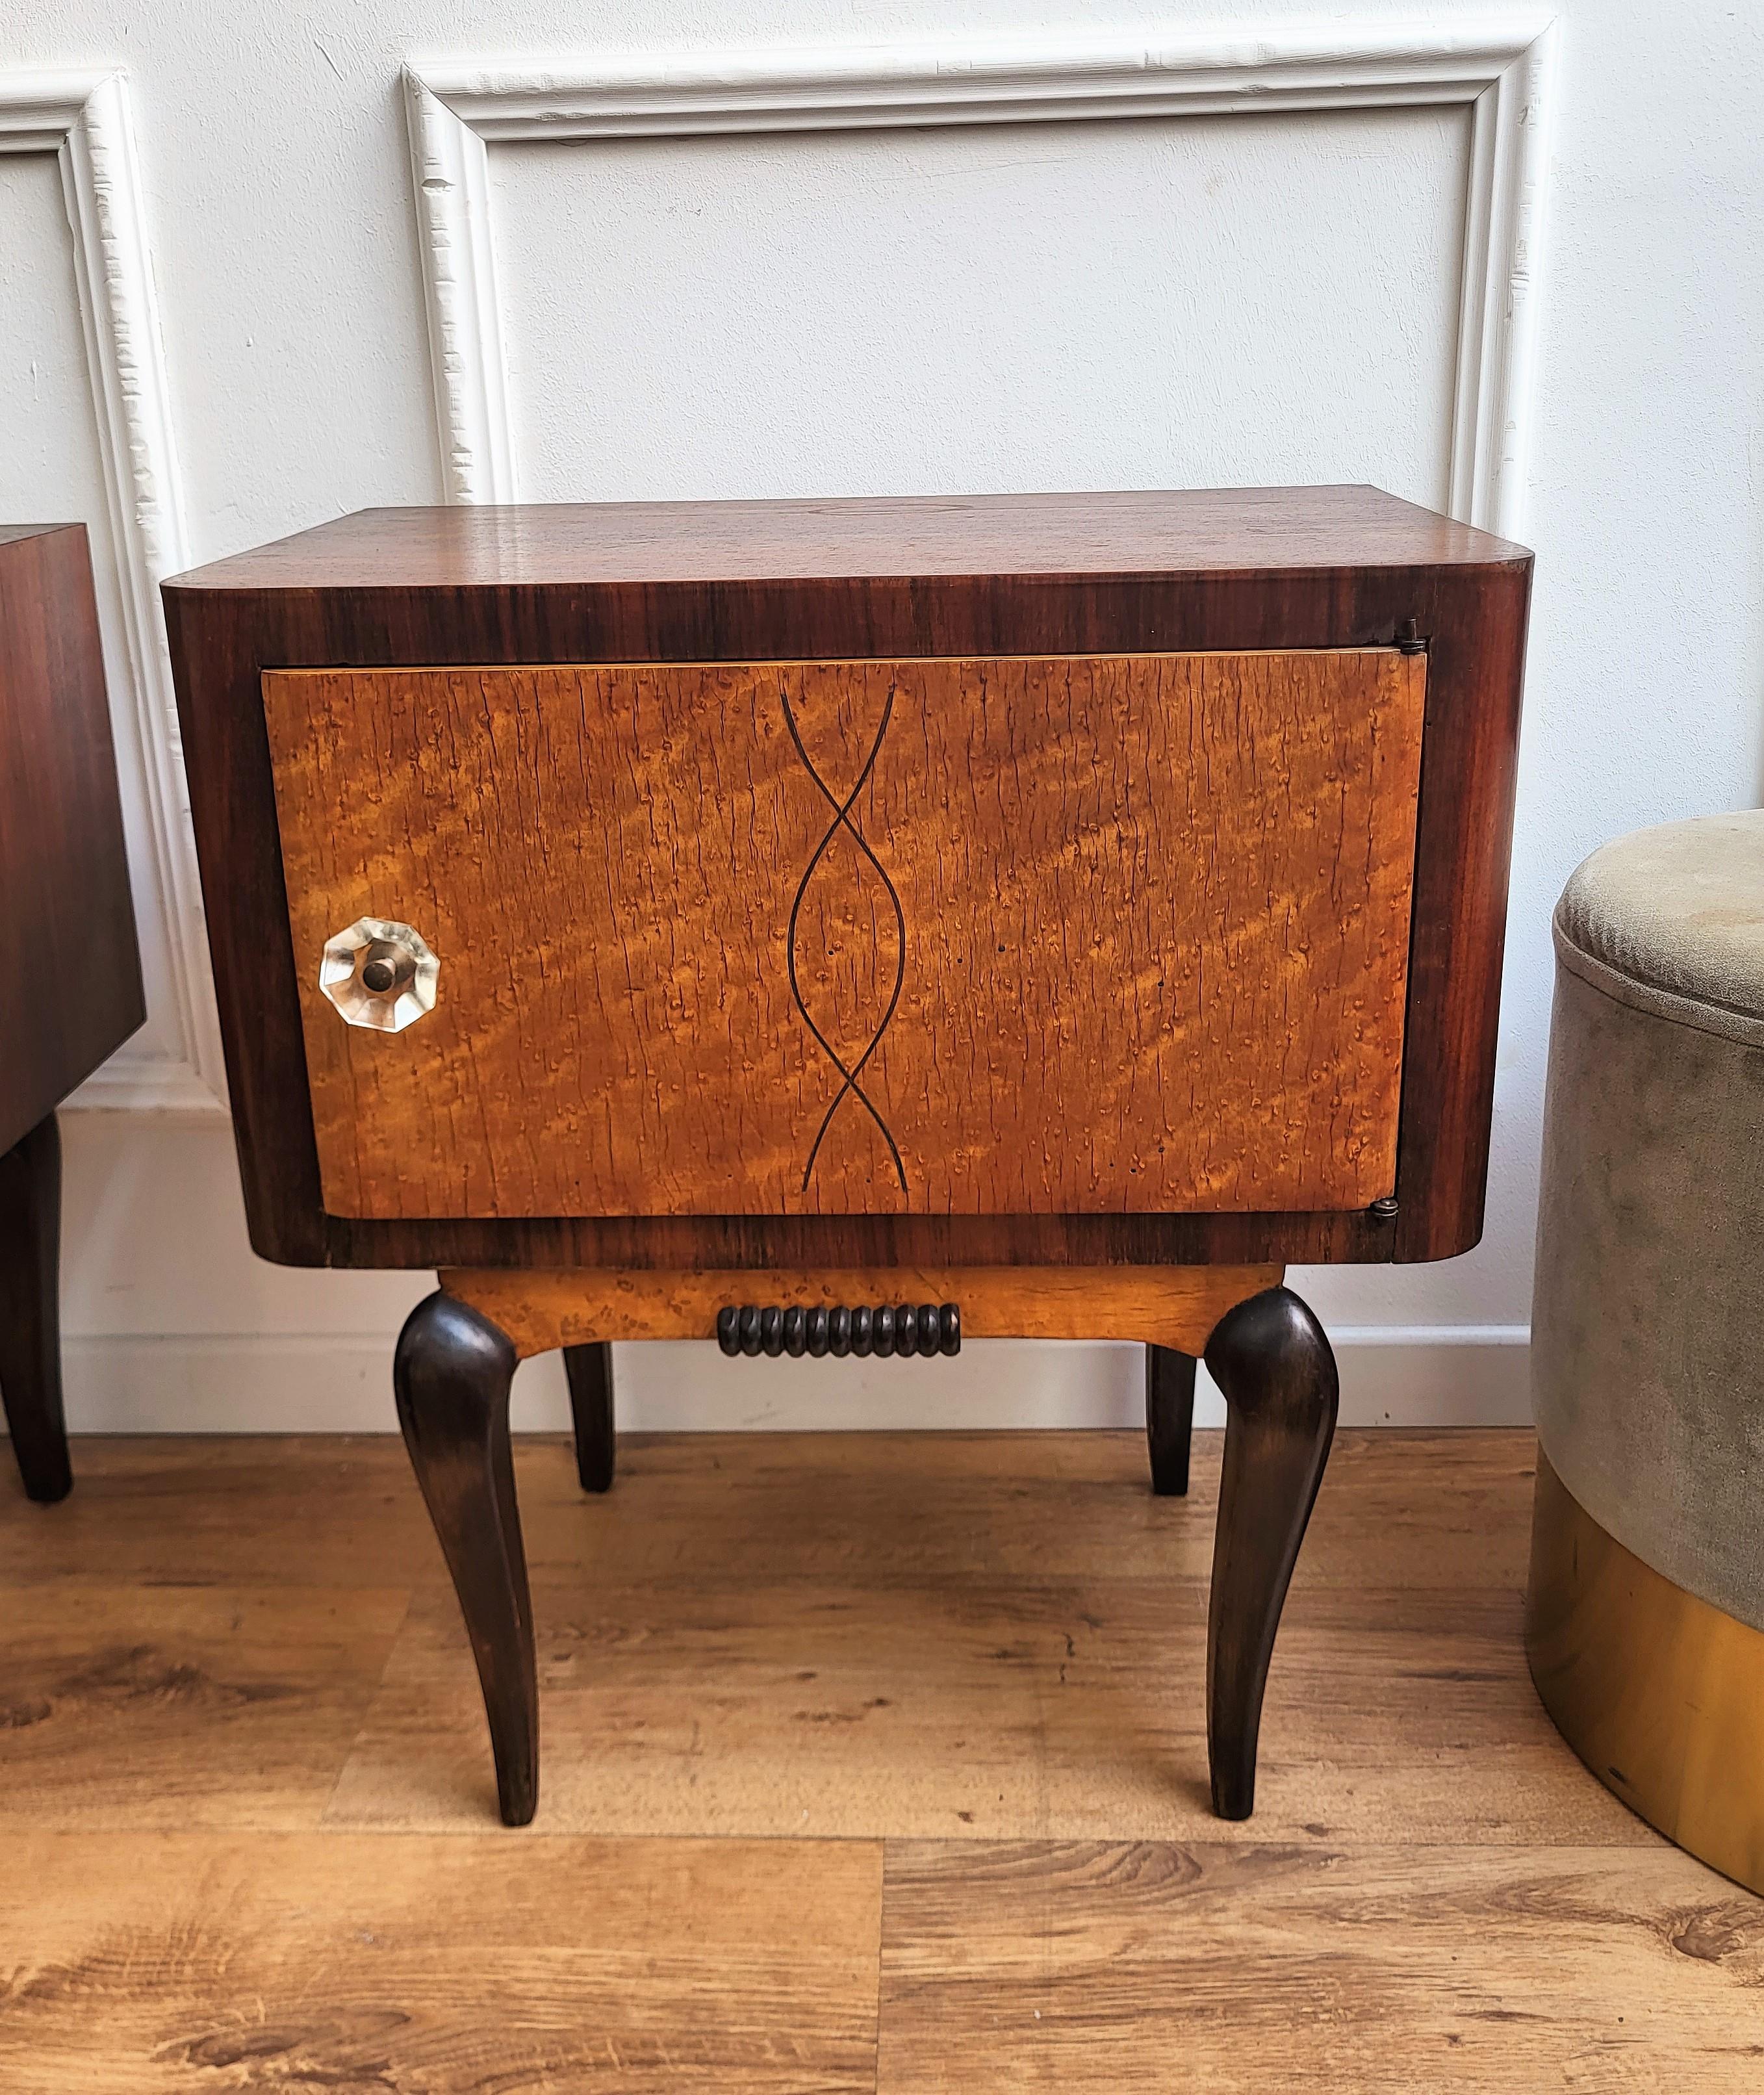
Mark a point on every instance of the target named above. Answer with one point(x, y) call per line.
point(1646, 1612)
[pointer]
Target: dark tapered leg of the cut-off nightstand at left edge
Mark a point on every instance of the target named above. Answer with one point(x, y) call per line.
point(30, 1310)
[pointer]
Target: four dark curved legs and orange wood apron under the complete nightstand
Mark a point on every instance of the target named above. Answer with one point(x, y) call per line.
point(1266, 1352)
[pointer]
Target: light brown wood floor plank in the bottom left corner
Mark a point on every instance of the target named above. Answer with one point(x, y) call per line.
point(156, 1966)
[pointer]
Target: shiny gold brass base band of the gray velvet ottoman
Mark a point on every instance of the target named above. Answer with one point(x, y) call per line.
point(1658, 1692)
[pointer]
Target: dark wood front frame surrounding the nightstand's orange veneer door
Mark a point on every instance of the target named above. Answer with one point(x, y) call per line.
point(221, 642)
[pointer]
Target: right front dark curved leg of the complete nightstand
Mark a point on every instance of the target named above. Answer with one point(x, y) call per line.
point(1273, 1363)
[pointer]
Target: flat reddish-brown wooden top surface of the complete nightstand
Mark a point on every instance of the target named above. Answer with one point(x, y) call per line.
point(617, 544)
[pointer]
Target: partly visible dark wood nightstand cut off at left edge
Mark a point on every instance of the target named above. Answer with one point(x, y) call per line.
point(68, 961)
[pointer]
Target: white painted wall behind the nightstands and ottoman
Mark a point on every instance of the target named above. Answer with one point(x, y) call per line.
point(1147, 301)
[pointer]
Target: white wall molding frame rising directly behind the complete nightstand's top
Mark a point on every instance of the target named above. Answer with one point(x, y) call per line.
point(1499, 70)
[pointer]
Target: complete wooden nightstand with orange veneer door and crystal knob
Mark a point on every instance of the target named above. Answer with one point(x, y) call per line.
point(854, 925)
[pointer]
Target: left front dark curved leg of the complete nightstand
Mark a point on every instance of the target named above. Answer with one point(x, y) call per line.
point(454, 1373)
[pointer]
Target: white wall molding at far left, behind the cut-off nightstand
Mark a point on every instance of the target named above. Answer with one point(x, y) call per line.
point(83, 118)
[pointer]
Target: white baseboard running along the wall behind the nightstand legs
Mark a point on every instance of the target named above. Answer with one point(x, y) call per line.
point(303, 1384)
